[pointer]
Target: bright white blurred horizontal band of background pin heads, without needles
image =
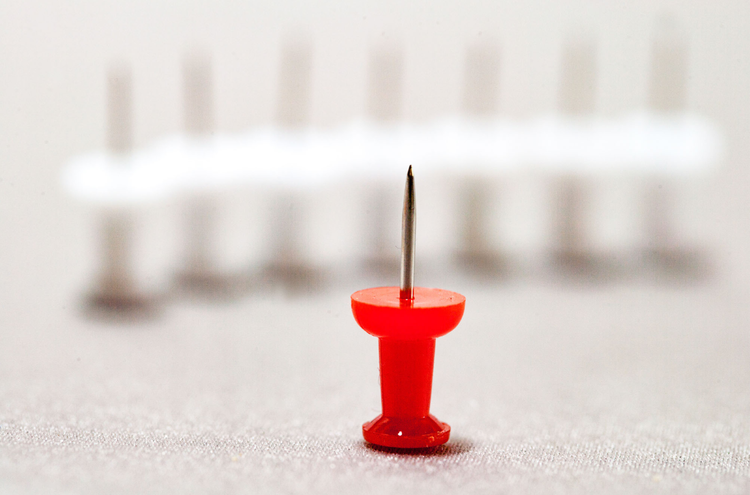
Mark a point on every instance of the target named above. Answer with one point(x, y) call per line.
point(640, 144)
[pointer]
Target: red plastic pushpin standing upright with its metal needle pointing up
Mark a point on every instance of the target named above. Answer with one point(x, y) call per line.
point(407, 320)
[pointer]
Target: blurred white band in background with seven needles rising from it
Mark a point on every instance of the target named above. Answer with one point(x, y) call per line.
point(661, 139)
